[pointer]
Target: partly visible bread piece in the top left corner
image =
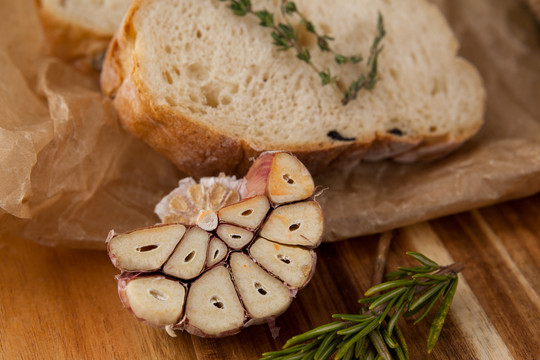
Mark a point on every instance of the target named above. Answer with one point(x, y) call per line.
point(79, 29)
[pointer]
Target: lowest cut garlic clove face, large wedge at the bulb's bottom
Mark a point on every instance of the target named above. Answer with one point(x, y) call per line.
point(213, 307)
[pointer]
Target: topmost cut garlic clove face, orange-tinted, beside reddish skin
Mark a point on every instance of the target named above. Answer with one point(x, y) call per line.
point(289, 180)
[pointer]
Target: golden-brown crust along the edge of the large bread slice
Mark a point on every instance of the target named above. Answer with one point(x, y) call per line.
point(202, 151)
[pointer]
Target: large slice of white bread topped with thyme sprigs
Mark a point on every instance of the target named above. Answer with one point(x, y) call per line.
point(209, 90)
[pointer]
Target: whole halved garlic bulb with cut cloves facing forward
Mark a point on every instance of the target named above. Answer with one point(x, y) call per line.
point(220, 276)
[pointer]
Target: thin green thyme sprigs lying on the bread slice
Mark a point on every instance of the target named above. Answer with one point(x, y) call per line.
point(285, 37)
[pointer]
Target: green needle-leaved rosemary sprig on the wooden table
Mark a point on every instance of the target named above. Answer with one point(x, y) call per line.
point(372, 333)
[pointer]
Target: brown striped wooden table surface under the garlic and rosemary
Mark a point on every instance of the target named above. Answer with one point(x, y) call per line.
point(63, 304)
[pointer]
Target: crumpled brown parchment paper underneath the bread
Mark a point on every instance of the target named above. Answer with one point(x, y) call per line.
point(69, 173)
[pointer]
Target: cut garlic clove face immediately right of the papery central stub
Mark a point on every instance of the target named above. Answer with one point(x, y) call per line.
point(247, 213)
